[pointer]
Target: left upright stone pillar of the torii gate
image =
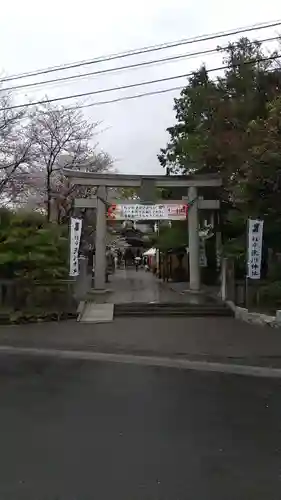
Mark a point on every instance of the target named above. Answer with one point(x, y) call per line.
point(100, 241)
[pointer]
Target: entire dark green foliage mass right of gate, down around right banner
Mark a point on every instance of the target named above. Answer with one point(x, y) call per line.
point(231, 126)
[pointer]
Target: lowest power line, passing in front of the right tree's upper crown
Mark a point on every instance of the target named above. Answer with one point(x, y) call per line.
point(138, 84)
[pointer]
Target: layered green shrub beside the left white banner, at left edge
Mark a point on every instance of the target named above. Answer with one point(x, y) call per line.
point(30, 248)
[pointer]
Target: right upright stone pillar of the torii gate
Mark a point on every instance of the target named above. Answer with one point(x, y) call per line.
point(193, 240)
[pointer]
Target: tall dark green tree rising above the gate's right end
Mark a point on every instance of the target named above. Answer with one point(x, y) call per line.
point(213, 115)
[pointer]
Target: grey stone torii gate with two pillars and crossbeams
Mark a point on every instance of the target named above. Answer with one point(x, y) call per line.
point(103, 181)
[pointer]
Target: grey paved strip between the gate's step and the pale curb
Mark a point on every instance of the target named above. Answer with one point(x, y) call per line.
point(223, 340)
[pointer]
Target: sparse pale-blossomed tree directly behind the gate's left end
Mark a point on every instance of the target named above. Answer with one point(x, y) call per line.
point(61, 138)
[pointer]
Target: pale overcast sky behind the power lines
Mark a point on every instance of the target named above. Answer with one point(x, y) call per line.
point(37, 35)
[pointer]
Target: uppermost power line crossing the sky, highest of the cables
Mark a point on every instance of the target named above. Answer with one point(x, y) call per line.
point(145, 50)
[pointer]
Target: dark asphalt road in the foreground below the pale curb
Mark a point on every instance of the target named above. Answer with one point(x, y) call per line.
point(76, 430)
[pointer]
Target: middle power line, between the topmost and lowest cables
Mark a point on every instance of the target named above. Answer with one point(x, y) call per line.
point(121, 68)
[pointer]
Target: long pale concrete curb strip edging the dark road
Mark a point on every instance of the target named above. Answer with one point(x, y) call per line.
point(182, 364)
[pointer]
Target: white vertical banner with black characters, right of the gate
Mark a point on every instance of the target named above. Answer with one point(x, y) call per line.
point(255, 235)
